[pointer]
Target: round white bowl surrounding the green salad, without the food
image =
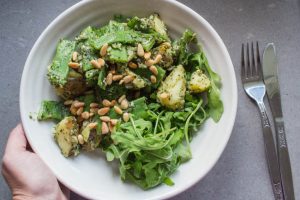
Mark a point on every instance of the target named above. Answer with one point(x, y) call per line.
point(89, 174)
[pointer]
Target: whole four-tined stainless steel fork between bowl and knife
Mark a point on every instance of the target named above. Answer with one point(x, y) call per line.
point(251, 74)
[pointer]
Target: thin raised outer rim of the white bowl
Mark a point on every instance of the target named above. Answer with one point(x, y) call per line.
point(223, 49)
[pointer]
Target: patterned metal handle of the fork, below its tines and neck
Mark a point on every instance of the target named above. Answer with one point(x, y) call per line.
point(270, 151)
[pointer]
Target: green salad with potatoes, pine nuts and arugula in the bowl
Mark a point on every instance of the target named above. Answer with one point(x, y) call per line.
point(130, 90)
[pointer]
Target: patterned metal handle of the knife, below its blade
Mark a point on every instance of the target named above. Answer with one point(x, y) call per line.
point(284, 160)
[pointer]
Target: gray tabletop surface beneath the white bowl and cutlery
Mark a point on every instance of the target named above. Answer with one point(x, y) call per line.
point(241, 173)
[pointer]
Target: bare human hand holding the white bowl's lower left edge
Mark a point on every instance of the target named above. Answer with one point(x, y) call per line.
point(26, 174)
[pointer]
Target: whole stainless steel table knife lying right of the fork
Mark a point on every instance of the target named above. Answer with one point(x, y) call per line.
point(270, 75)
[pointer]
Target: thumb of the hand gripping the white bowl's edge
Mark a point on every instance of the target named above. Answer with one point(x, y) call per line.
point(16, 141)
